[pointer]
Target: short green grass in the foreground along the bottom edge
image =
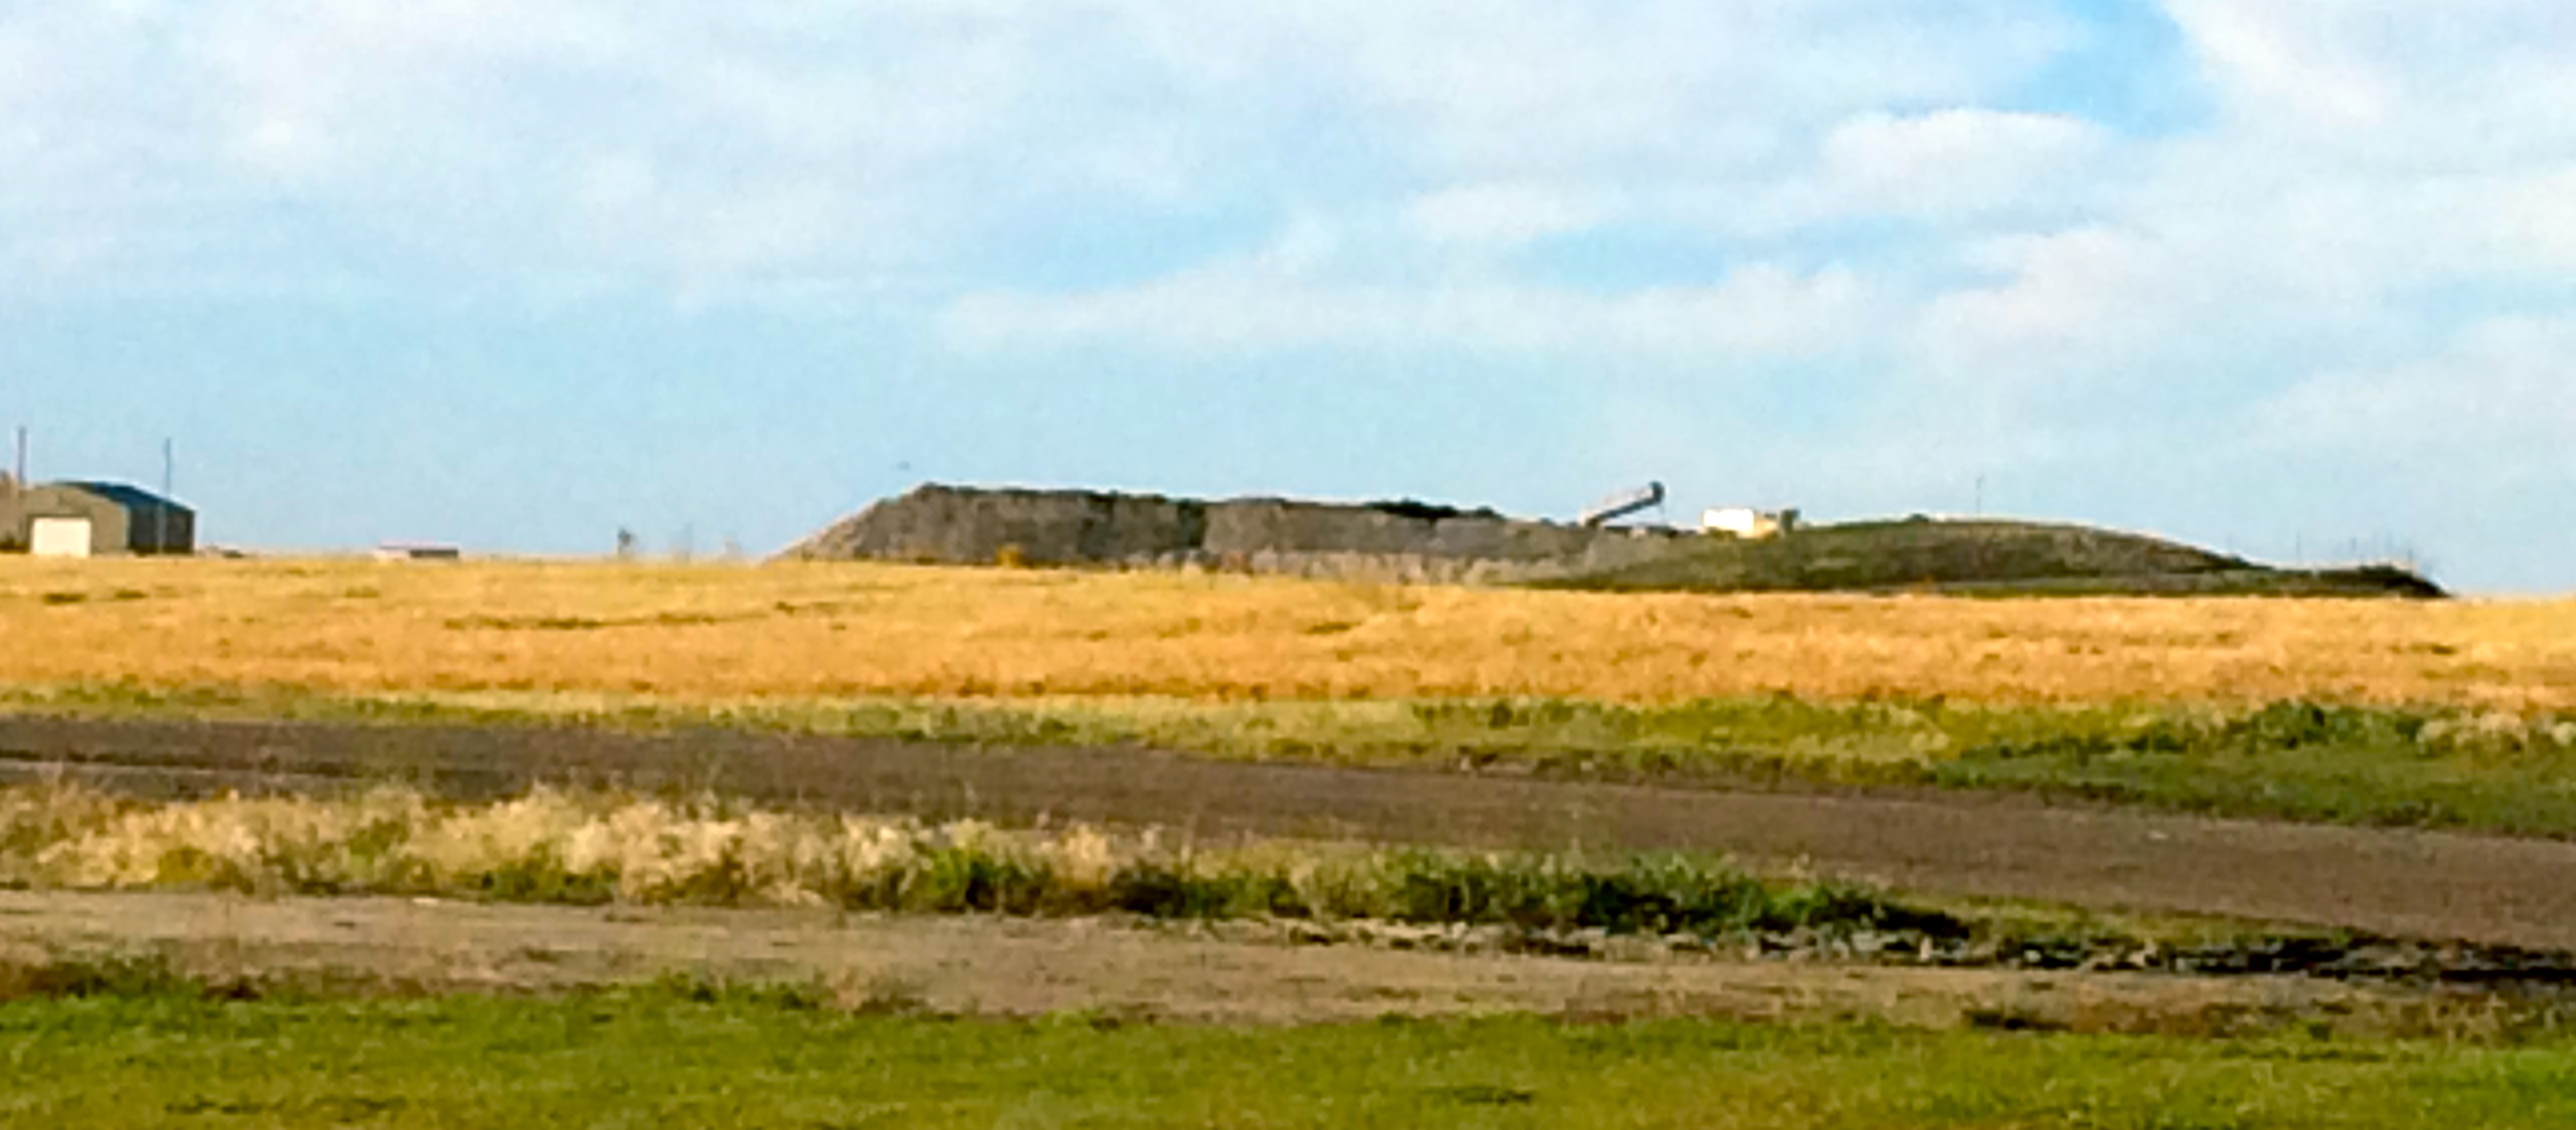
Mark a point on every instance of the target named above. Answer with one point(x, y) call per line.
point(777, 1059)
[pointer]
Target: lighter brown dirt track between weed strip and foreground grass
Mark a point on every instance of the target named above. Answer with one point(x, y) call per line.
point(1117, 972)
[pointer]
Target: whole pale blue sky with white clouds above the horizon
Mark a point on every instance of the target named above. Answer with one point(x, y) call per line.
point(2286, 277)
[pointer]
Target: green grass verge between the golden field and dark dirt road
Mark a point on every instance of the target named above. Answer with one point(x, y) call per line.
point(2291, 761)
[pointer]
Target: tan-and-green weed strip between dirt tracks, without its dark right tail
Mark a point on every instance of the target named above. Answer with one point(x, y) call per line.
point(568, 848)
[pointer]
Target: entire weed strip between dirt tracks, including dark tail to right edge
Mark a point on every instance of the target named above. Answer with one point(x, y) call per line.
point(645, 851)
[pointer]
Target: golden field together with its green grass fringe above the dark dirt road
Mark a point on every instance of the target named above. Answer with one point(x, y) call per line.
point(2402, 714)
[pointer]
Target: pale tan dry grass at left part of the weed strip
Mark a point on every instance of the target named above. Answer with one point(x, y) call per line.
point(545, 846)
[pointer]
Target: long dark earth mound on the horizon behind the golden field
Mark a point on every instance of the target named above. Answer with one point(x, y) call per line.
point(1444, 544)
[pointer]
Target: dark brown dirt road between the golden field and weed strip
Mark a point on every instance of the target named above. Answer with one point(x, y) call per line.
point(2400, 884)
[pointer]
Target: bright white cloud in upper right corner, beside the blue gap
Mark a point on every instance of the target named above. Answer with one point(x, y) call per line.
point(2366, 156)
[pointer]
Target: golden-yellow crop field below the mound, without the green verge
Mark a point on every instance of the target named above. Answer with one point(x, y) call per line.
point(854, 629)
